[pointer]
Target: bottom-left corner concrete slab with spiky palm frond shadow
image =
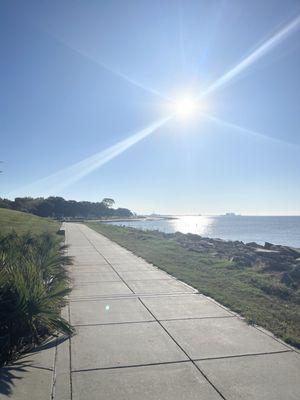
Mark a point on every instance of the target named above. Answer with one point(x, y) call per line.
point(21, 382)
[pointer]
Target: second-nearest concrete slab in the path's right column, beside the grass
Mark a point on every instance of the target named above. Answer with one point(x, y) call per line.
point(220, 337)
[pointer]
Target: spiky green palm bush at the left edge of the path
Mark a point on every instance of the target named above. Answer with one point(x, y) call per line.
point(33, 283)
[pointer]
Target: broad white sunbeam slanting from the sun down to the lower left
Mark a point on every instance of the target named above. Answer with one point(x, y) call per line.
point(55, 183)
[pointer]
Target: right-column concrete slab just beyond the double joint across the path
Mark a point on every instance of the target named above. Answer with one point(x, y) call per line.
point(160, 286)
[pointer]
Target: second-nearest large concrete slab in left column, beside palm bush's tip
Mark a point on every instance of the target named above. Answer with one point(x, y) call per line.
point(103, 346)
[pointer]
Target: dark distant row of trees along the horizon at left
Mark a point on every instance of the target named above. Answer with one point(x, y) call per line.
point(58, 207)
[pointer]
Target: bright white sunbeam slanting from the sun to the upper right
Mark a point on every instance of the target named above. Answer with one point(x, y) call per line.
point(254, 56)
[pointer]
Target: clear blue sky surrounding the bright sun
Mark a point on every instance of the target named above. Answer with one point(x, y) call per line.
point(81, 80)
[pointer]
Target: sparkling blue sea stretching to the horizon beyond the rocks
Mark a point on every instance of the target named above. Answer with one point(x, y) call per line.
point(277, 230)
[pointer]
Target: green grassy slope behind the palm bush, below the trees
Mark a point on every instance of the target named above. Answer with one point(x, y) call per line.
point(22, 222)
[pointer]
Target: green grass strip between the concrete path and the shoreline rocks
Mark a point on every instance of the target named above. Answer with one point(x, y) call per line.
point(243, 290)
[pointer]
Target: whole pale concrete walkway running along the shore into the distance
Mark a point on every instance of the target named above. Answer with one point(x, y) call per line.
point(142, 334)
